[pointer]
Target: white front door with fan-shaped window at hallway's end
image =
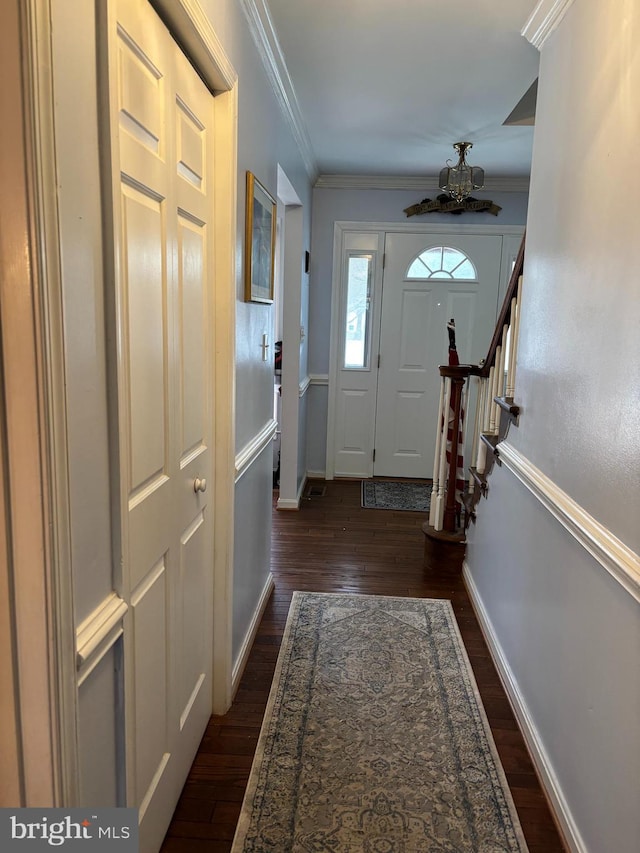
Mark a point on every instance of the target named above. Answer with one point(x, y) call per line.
point(427, 281)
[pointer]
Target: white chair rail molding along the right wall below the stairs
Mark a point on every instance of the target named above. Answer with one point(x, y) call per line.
point(613, 555)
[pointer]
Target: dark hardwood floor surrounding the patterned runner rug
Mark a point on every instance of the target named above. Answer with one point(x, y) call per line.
point(333, 545)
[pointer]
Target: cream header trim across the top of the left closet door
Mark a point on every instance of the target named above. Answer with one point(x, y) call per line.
point(190, 26)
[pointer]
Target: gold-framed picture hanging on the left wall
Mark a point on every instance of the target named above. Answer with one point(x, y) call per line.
point(260, 242)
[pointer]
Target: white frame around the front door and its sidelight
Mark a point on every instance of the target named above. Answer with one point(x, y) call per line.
point(341, 227)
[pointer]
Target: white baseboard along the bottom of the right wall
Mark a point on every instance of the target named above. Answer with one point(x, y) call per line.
point(535, 745)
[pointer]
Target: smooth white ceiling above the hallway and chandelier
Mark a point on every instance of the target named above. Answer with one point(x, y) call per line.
point(385, 87)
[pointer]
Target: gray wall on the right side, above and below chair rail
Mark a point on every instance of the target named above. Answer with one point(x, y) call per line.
point(568, 631)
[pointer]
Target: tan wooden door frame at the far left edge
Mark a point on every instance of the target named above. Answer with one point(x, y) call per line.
point(35, 439)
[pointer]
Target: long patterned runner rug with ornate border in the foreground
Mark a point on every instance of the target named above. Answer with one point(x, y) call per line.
point(374, 737)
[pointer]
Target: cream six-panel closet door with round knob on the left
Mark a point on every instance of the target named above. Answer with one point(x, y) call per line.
point(161, 123)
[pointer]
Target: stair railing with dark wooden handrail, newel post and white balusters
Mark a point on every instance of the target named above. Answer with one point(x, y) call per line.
point(495, 411)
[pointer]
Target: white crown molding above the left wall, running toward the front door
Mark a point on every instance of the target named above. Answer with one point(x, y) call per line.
point(266, 40)
